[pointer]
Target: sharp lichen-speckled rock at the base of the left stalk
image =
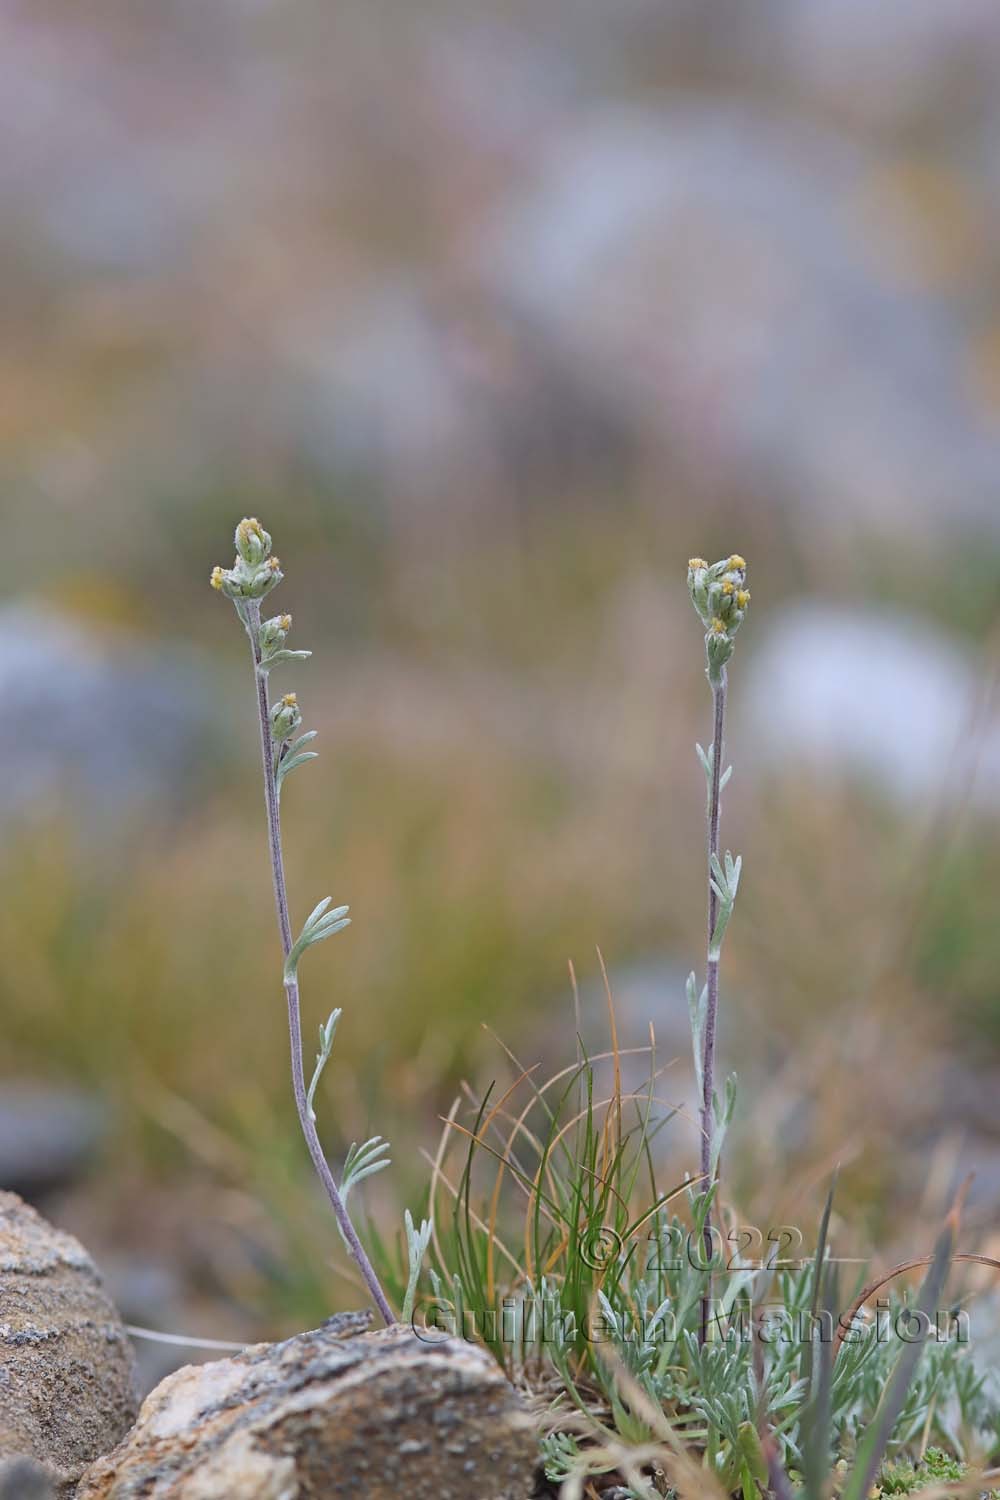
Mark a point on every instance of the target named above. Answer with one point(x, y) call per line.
point(323, 1417)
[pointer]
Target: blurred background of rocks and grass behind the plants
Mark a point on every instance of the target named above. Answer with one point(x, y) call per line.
point(494, 313)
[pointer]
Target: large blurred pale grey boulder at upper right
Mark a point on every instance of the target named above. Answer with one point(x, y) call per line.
point(747, 284)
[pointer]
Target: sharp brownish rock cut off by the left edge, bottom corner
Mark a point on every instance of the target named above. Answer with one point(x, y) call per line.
point(67, 1390)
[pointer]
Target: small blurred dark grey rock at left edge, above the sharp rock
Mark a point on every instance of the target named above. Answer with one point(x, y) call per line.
point(47, 1136)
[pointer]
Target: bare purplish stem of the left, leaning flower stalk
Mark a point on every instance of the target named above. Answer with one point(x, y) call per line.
point(292, 986)
